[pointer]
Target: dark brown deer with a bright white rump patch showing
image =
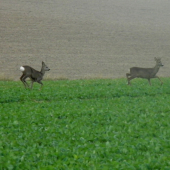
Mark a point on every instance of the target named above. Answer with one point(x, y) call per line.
point(34, 75)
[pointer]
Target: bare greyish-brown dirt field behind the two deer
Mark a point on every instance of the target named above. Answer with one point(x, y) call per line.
point(83, 39)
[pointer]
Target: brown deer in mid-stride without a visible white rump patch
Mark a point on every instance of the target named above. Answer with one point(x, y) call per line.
point(146, 73)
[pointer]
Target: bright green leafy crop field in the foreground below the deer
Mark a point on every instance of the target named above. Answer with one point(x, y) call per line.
point(85, 124)
